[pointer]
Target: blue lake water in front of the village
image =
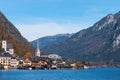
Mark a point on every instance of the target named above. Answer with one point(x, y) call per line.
point(92, 74)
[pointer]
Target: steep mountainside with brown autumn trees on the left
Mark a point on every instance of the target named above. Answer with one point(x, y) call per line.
point(9, 32)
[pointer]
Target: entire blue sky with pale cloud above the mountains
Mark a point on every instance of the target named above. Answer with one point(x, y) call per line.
point(38, 18)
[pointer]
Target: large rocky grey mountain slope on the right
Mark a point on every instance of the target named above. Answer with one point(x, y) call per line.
point(100, 42)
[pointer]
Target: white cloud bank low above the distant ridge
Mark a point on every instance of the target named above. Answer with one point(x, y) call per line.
point(34, 31)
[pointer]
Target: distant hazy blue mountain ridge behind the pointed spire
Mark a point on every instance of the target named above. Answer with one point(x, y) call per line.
point(50, 40)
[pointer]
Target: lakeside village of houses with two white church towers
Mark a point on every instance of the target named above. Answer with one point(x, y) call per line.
point(40, 61)
